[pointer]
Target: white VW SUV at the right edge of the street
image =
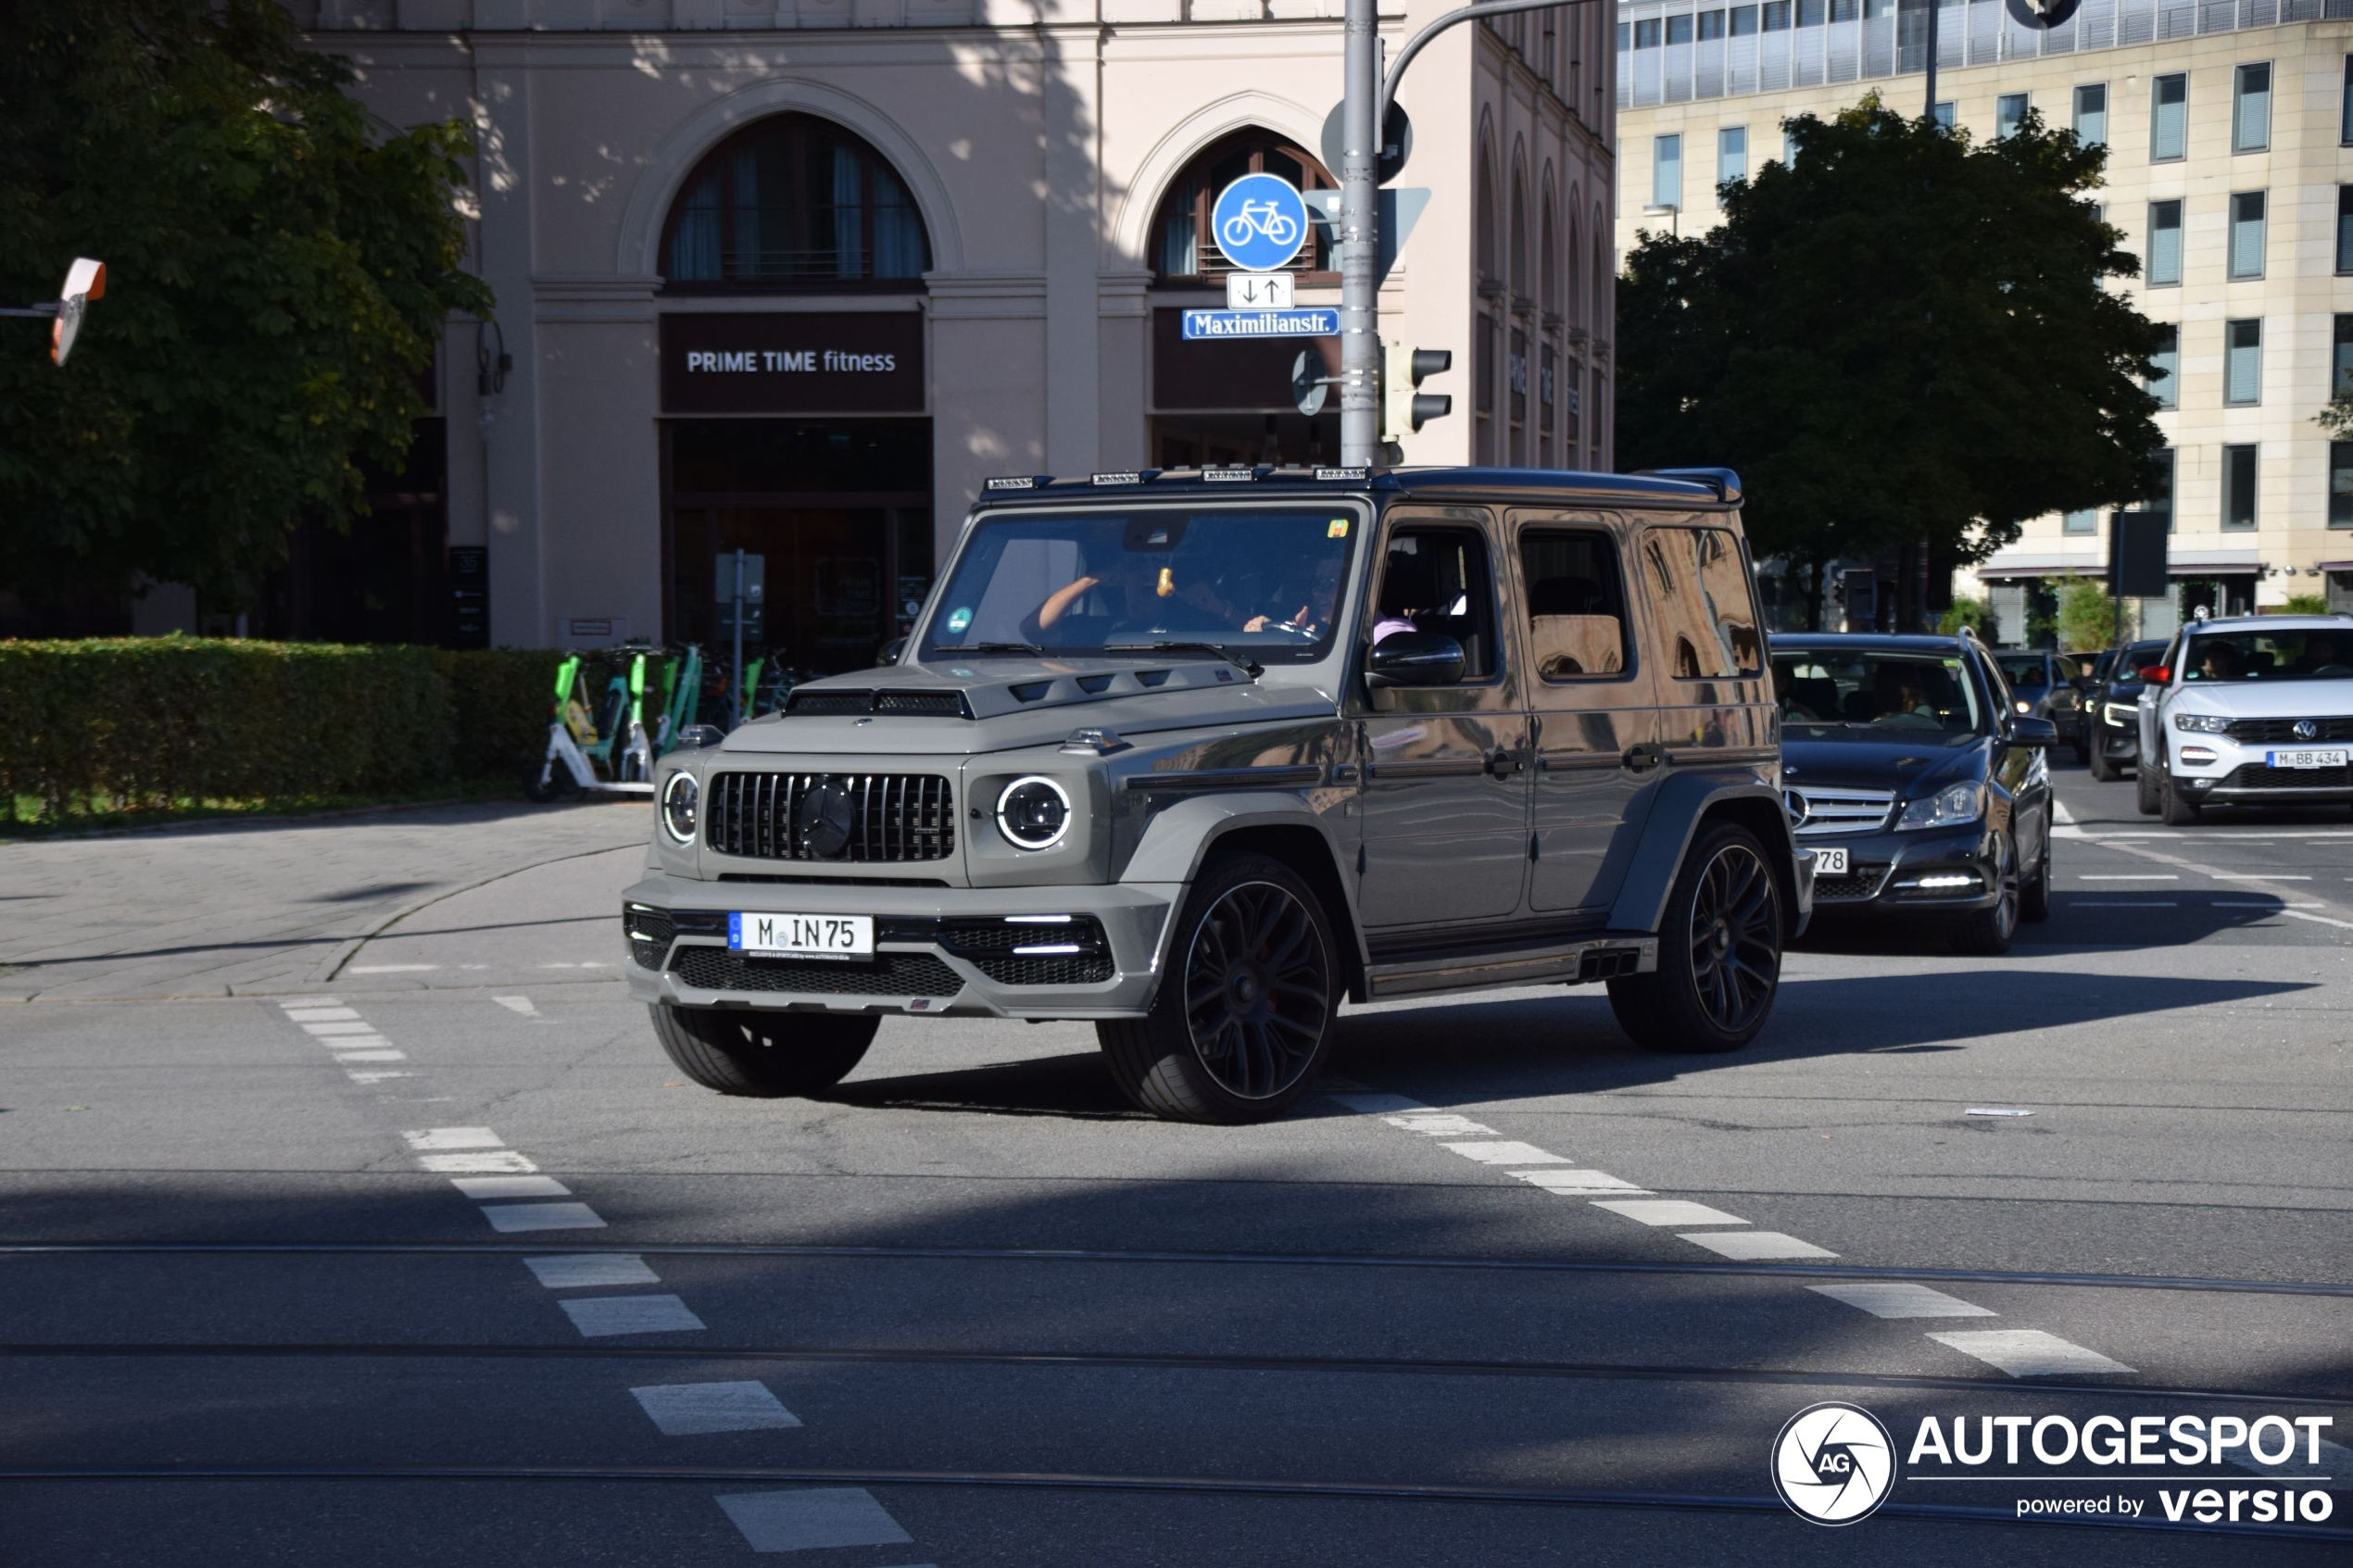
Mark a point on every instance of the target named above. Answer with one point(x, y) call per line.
point(2248, 711)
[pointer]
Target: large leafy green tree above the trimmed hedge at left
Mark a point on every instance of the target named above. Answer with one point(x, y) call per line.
point(276, 279)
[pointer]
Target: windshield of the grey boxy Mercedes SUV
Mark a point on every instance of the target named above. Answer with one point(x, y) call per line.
point(1262, 582)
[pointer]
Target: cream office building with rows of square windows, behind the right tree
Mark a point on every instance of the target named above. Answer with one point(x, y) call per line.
point(2229, 130)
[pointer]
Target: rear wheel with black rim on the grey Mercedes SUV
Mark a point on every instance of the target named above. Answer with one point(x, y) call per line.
point(1719, 951)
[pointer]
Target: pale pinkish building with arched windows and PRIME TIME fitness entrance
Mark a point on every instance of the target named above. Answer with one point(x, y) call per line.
point(794, 276)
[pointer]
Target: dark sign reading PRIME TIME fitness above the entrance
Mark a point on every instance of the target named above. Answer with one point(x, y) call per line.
point(792, 363)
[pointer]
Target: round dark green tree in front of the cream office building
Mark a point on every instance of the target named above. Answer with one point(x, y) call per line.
point(1905, 340)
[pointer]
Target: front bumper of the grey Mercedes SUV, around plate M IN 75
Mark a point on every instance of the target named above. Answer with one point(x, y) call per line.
point(938, 951)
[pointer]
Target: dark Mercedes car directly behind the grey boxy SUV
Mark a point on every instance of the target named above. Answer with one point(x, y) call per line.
point(1917, 782)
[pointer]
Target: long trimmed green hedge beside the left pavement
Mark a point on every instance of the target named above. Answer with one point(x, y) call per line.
point(154, 723)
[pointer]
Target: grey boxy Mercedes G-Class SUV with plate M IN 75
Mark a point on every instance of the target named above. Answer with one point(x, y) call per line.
point(1194, 756)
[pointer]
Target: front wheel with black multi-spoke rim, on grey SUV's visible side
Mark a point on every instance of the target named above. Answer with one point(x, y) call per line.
point(1246, 1012)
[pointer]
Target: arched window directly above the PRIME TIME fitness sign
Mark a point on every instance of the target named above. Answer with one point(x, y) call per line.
point(794, 203)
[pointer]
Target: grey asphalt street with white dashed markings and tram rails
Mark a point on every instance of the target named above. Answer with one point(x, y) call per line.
point(354, 1217)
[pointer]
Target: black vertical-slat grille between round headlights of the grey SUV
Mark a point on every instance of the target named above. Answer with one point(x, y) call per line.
point(893, 817)
